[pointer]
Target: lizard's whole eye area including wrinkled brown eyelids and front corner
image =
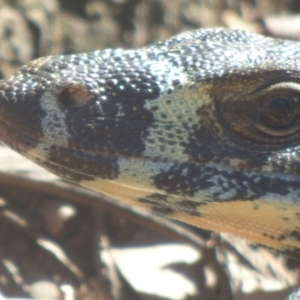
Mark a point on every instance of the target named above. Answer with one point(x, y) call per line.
point(270, 116)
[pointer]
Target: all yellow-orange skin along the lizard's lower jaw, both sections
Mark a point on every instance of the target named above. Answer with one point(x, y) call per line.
point(259, 221)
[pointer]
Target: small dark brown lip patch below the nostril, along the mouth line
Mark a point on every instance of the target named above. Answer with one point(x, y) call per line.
point(78, 166)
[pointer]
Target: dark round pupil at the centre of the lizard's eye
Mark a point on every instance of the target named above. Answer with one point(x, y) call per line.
point(280, 108)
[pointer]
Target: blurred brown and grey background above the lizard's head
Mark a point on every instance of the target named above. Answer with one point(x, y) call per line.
point(34, 28)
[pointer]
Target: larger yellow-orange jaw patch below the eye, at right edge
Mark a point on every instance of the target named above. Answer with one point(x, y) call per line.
point(257, 221)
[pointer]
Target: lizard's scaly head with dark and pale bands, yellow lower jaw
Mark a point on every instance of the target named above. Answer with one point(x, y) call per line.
point(203, 128)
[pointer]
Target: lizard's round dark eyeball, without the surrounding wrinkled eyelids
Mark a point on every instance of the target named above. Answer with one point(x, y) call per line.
point(279, 109)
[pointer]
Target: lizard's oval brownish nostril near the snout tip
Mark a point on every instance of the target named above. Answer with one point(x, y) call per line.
point(73, 96)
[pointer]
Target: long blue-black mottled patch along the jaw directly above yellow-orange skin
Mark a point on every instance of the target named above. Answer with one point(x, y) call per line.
point(187, 179)
